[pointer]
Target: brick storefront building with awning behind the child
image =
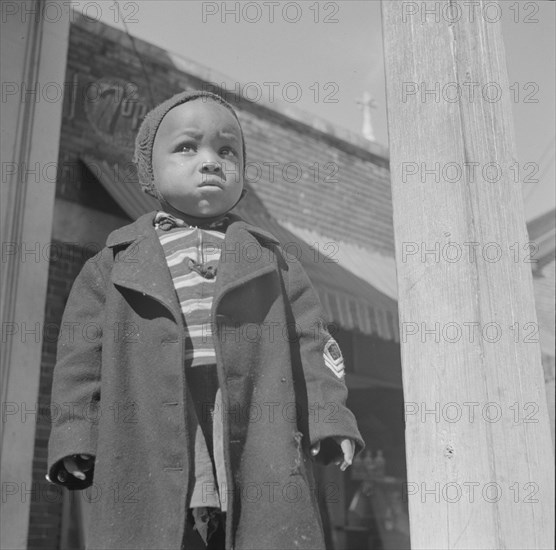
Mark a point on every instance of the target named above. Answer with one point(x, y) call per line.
point(301, 172)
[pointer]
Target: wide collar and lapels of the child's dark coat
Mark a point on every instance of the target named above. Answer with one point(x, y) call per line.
point(142, 265)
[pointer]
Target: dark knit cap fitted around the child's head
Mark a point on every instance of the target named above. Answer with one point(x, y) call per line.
point(144, 140)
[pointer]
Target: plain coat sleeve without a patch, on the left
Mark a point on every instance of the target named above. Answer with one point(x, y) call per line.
point(75, 401)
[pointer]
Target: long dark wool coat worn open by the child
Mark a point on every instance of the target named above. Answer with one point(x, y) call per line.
point(120, 392)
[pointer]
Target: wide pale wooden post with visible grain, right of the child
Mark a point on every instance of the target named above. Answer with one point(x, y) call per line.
point(479, 453)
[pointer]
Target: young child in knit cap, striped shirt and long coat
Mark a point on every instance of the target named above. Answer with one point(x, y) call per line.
point(210, 378)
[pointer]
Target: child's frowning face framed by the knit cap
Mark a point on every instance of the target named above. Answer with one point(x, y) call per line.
point(198, 159)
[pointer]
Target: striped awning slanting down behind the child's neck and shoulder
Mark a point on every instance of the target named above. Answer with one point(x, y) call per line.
point(349, 301)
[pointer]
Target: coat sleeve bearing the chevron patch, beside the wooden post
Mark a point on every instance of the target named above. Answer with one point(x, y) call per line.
point(322, 367)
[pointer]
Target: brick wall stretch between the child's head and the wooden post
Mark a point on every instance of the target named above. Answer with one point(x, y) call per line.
point(334, 191)
